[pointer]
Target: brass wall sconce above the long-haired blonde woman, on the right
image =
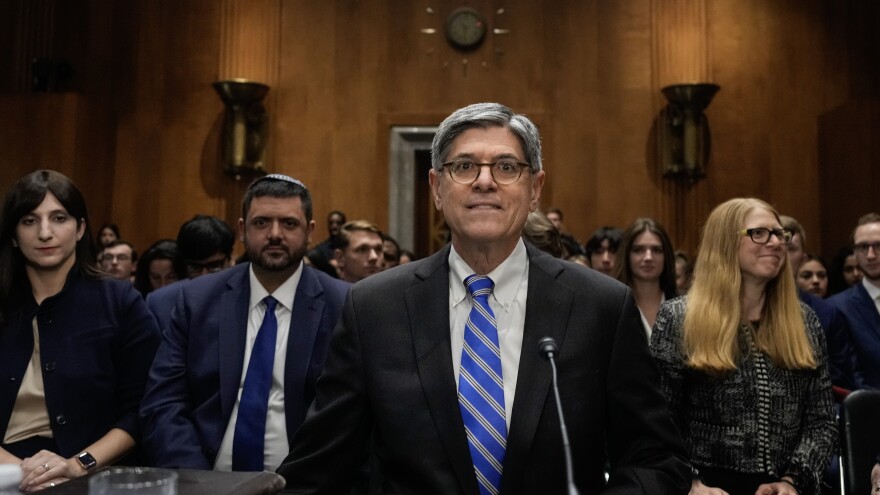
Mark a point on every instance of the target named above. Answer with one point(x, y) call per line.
point(685, 140)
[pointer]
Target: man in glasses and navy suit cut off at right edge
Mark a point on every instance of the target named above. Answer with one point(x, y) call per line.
point(860, 304)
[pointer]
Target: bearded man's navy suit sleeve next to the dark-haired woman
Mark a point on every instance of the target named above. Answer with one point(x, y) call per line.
point(170, 438)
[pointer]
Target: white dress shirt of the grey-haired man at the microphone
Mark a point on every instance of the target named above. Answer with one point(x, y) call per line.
point(508, 302)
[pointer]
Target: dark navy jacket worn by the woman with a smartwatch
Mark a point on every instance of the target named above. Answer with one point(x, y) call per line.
point(97, 340)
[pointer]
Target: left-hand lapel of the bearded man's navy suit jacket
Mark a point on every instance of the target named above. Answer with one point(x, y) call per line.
point(233, 314)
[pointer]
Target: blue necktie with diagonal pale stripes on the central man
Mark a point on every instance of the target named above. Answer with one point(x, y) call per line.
point(480, 389)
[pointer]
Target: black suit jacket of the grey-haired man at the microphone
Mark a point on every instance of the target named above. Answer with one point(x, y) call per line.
point(389, 378)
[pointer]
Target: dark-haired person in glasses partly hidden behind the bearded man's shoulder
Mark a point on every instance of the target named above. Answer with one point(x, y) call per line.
point(205, 245)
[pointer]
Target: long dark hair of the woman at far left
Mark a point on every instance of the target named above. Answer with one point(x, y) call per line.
point(24, 197)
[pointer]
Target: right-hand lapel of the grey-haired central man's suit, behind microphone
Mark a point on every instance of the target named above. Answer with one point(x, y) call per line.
point(547, 312)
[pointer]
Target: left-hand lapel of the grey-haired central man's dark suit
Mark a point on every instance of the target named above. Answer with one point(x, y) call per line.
point(427, 304)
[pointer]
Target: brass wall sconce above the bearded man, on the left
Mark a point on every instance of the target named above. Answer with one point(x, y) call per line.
point(245, 126)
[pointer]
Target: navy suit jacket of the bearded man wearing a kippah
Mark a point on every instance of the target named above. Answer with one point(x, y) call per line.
point(194, 380)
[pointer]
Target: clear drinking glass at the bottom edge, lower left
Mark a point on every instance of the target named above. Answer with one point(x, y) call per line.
point(133, 481)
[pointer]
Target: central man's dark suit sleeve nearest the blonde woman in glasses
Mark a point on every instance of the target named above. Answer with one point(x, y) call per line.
point(644, 446)
